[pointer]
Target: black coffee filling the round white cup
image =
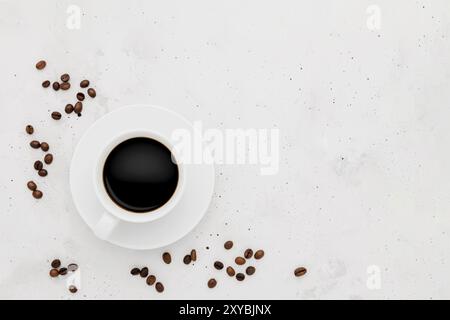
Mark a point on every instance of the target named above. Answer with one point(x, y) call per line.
point(139, 174)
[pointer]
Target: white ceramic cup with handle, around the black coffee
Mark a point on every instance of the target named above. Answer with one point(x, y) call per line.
point(113, 213)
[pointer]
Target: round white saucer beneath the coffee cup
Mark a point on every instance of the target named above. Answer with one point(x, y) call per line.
point(199, 183)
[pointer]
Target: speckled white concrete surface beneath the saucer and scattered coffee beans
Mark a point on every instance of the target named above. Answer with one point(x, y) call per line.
point(363, 114)
